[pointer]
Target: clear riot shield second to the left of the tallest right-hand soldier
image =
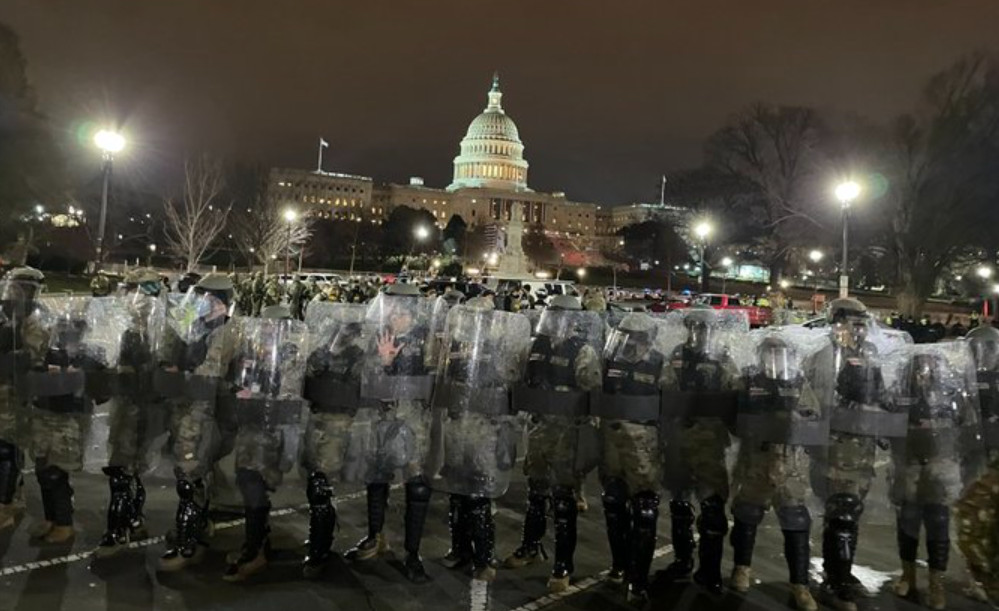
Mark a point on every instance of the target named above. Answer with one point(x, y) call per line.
point(707, 350)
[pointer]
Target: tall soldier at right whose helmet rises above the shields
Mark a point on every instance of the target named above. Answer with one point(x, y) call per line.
point(859, 416)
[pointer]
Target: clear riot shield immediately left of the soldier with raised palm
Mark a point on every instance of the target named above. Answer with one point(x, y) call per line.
point(334, 443)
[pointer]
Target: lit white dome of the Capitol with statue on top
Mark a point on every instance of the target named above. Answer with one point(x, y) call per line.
point(492, 155)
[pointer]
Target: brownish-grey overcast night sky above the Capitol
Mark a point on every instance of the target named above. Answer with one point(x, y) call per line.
point(607, 95)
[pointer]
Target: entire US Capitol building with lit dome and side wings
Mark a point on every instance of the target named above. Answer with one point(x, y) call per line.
point(490, 178)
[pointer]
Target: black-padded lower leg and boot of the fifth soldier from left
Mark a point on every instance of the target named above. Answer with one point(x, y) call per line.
point(257, 505)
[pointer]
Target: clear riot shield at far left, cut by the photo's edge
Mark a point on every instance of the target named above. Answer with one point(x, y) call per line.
point(22, 346)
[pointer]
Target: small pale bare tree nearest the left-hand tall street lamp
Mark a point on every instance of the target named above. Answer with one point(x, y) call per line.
point(194, 223)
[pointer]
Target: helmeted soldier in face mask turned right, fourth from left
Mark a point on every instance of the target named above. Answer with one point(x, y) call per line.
point(192, 348)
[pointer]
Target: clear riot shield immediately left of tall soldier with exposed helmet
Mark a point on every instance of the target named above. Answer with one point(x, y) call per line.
point(780, 404)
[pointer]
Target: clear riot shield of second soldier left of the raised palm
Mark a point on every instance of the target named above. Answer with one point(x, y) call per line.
point(263, 394)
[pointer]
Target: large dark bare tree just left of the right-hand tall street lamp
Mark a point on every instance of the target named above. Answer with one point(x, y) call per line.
point(772, 151)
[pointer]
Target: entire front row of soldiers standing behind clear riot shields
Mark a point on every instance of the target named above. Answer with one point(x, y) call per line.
point(381, 383)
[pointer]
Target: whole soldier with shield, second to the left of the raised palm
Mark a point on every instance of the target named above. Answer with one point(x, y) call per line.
point(263, 399)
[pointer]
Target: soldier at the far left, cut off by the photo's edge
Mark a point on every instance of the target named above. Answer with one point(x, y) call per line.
point(22, 347)
